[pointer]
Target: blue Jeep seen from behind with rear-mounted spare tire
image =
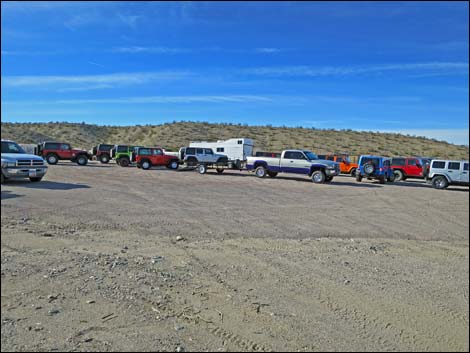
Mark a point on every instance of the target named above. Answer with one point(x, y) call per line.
point(375, 167)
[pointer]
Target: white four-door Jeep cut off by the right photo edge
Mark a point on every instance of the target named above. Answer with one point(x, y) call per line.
point(446, 172)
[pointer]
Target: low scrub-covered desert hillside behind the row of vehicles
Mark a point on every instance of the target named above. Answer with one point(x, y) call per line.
point(177, 134)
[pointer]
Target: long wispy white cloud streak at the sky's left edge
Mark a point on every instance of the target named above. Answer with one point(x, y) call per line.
point(116, 79)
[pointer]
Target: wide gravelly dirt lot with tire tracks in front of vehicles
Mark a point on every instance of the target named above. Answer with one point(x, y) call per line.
point(92, 260)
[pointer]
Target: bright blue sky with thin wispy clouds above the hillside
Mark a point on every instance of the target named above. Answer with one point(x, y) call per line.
point(381, 66)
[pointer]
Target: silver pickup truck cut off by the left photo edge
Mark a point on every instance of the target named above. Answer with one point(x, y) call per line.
point(16, 163)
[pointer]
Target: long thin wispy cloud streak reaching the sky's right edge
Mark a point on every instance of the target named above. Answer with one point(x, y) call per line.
point(312, 71)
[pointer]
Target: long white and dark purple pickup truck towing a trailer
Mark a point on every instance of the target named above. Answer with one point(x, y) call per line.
point(294, 161)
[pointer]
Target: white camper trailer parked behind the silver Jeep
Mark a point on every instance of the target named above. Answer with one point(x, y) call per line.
point(236, 149)
